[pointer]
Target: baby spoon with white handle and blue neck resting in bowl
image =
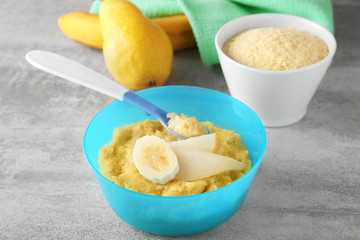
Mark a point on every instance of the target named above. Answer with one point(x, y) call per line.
point(70, 70)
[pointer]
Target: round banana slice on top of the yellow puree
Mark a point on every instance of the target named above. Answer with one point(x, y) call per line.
point(155, 160)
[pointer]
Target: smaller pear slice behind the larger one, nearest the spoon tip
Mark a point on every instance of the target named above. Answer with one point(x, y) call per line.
point(203, 143)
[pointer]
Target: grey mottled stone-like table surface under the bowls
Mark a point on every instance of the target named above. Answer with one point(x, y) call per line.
point(307, 187)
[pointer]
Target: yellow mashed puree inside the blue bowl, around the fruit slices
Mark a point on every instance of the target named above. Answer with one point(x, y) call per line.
point(115, 161)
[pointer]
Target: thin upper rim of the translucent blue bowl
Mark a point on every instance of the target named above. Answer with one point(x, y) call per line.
point(253, 167)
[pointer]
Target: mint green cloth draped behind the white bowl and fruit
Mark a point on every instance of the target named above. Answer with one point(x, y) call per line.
point(207, 16)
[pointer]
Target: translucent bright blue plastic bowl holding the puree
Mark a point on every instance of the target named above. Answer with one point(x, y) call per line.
point(187, 214)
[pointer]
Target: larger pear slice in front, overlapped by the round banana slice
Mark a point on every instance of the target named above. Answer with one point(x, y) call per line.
point(194, 165)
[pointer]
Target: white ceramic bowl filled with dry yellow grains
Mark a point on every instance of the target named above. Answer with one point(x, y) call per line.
point(279, 98)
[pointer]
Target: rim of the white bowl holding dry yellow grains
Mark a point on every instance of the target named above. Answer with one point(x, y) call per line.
point(255, 16)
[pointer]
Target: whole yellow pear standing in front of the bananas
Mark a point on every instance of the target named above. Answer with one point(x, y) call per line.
point(137, 51)
